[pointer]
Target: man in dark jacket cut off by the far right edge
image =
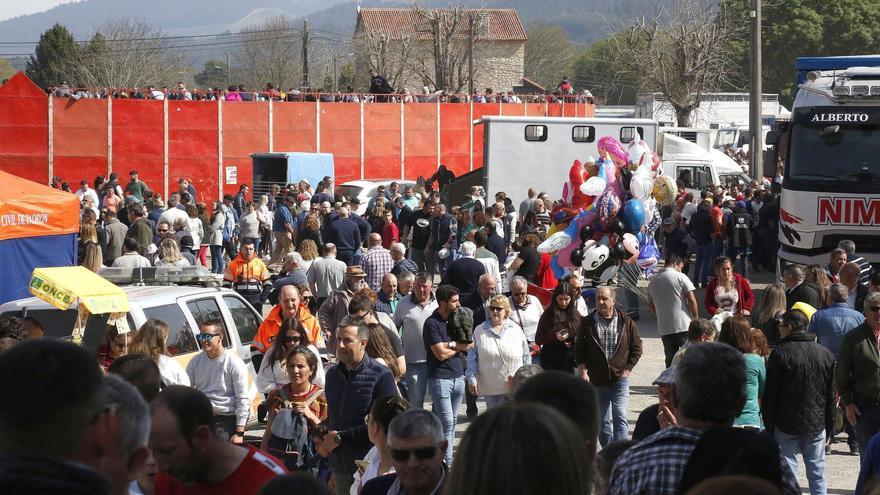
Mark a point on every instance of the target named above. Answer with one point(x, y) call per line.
point(857, 377)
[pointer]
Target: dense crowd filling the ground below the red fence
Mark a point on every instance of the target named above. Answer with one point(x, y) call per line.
point(369, 317)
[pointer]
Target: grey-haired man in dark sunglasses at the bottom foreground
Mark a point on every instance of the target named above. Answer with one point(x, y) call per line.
point(417, 445)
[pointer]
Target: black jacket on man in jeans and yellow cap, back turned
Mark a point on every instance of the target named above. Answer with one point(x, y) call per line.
point(799, 395)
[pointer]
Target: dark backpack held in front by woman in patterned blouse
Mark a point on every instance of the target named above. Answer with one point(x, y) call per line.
point(290, 441)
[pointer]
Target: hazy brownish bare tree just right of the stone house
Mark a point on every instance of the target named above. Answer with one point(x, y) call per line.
point(548, 53)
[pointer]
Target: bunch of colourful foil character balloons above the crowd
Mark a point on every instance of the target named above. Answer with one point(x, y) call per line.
point(611, 212)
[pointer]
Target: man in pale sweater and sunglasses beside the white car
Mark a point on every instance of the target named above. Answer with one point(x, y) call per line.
point(223, 377)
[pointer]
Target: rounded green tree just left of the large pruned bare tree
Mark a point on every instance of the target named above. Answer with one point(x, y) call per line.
point(596, 68)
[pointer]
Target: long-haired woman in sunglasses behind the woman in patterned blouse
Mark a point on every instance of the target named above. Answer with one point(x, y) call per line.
point(272, 372)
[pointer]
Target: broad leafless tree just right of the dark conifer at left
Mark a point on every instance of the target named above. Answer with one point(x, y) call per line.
point(126, 53)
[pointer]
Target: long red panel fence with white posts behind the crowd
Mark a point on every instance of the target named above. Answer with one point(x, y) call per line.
point(203, 140)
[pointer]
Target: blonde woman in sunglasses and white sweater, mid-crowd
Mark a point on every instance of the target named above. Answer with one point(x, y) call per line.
point(500, 348)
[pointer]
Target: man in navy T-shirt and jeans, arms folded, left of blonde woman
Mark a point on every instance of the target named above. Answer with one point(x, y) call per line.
point(446, 363)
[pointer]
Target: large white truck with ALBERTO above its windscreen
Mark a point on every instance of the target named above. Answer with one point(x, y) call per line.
point(831, 157)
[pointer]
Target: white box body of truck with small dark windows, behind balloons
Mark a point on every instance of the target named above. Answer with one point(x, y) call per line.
point(536, 152)
